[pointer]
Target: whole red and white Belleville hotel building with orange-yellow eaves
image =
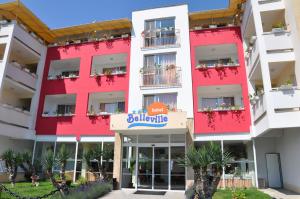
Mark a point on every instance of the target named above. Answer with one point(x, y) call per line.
point(229, 76)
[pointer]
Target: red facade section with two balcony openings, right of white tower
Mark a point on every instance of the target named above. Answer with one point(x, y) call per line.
point(216, 122)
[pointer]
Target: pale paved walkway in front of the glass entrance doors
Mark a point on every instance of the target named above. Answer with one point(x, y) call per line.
point(129, 194)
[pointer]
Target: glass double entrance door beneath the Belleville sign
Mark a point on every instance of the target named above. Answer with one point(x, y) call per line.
point(153, 167)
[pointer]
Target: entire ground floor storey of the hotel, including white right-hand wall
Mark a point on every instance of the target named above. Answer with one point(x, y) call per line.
point(148, 161)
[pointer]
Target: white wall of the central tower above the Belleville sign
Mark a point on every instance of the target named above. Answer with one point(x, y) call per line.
point(184, 98)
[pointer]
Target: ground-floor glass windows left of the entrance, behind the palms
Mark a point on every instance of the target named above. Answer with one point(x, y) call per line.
point(90, 170)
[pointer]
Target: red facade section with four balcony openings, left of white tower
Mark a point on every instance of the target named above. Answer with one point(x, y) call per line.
point(80, 123)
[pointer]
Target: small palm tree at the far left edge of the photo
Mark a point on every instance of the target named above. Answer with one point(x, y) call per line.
point(12, 162)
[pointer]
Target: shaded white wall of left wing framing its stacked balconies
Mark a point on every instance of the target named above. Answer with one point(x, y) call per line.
point(7, 33)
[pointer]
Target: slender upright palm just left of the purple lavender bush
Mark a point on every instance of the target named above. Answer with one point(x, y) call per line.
point(62, 158)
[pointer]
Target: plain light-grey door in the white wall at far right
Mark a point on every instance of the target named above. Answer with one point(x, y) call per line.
point(274, 171)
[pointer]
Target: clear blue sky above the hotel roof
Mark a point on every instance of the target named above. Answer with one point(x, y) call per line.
point(63, 13)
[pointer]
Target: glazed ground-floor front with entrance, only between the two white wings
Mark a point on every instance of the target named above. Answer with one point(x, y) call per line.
point(148, 161)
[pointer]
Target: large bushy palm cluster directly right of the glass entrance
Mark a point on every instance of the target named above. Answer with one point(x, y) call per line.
point(207, 163)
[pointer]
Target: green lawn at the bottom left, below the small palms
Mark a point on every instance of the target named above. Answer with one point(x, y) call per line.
point(25, 189)
